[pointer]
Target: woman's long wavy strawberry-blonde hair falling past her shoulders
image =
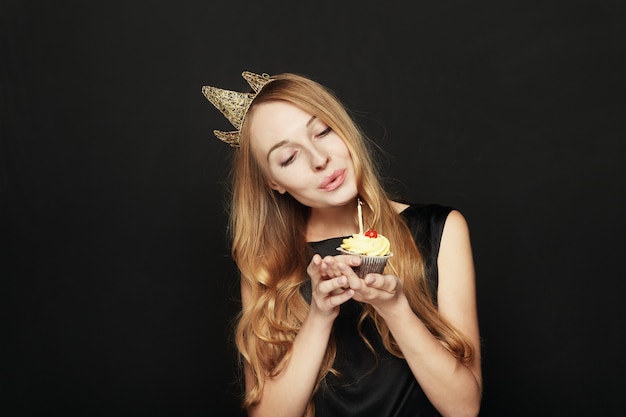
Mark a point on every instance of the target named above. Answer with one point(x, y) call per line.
point(267, 231)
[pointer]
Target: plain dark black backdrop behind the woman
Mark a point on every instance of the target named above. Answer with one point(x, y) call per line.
point(117, 289)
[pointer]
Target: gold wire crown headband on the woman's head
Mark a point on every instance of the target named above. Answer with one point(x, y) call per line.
point(234, 105)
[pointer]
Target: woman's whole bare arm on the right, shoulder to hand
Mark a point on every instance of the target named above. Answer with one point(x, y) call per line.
point(455, 389)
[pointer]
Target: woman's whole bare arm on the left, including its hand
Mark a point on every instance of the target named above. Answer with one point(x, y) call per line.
point(288, 393)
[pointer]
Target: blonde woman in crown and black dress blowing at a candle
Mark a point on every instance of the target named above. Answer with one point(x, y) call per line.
point(314, 338)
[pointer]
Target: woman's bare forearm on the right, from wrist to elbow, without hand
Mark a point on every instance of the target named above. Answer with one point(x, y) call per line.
point(451, 386)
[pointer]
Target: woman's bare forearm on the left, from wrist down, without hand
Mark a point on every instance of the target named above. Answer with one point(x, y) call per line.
point(288, 393)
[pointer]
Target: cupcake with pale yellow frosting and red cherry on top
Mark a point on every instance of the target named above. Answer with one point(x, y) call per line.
point(371, 247)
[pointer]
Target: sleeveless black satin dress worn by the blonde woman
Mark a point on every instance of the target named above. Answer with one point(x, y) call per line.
point(382, 386)
